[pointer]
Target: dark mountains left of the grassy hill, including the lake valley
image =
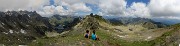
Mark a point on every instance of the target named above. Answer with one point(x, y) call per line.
point(21, 27)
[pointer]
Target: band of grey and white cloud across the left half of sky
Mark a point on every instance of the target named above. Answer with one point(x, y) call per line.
point(44, 8)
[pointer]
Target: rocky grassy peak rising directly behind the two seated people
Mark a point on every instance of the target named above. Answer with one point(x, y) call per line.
point(91, 22)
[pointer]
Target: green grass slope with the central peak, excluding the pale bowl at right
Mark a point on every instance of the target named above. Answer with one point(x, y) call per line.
point(74, 37)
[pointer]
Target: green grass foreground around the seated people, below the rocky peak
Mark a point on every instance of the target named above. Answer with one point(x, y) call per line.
point(76, 38)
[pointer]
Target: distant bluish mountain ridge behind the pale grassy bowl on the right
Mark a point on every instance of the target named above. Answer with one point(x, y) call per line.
point(139, 21)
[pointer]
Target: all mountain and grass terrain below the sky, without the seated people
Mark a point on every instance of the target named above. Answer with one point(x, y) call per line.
point(43, 31)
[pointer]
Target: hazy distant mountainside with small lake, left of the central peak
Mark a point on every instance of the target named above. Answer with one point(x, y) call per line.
point(61, 23)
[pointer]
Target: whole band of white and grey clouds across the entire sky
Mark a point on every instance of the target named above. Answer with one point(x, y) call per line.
point(154, 9)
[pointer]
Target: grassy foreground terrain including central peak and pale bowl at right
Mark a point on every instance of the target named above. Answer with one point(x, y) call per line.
point(111, 35)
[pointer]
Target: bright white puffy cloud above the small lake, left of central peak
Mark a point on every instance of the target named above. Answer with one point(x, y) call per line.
point(70, 8)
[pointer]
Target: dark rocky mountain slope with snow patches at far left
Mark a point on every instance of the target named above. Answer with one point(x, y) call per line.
point(21, 27)
